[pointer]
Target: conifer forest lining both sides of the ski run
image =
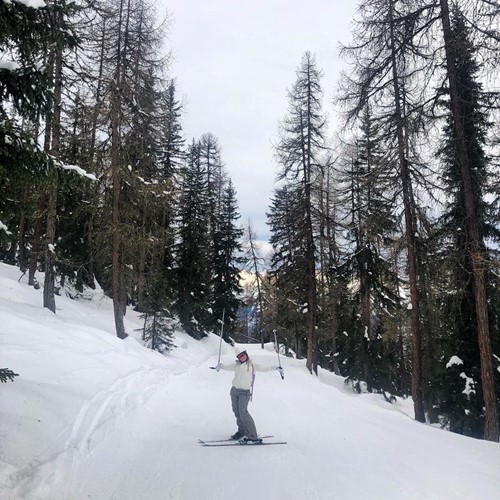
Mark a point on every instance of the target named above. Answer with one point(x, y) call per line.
point(385, 264)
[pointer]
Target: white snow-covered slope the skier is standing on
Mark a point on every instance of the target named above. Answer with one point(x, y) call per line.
point(94, 417)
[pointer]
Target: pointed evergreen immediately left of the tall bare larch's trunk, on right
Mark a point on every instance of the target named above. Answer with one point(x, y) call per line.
point(372, 224)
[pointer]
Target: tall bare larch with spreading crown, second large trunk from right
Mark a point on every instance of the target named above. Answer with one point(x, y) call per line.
point(385, 73)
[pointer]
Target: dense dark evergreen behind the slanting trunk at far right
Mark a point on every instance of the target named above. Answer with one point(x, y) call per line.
point(461, 399)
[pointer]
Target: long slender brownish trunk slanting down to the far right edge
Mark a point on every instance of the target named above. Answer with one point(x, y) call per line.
point(476, 248)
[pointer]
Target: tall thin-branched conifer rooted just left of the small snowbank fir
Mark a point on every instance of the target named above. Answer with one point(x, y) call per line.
point(131, 74)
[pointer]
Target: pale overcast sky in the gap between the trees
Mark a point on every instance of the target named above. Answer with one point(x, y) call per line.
point(234, 61)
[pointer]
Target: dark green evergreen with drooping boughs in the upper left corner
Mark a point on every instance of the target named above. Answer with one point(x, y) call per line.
point(27, 35)
